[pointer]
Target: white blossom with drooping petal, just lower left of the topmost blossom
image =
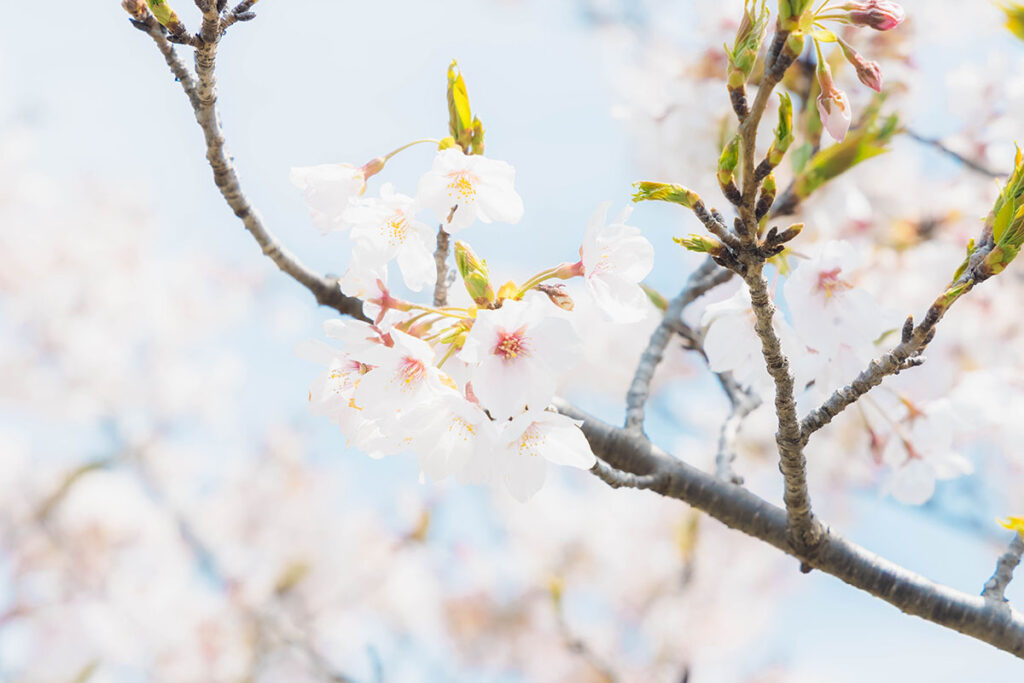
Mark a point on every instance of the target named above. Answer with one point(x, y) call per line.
point(385, 229)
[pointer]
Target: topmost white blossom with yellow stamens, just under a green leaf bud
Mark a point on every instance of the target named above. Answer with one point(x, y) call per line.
point(460, 188)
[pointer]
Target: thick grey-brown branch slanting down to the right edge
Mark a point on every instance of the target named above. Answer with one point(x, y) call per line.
point(738, 508)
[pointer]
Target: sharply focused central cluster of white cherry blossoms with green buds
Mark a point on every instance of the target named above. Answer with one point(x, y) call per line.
point(465, 388)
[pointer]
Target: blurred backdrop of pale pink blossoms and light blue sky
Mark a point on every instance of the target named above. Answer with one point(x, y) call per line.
point(169, 510)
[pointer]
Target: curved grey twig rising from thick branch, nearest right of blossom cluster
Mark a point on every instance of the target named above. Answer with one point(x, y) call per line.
point(701, 281)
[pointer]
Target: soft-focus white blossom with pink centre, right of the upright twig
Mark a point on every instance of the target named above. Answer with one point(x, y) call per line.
point(828, 310)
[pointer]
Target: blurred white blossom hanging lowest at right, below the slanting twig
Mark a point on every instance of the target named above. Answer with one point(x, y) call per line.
point(922, 453)
